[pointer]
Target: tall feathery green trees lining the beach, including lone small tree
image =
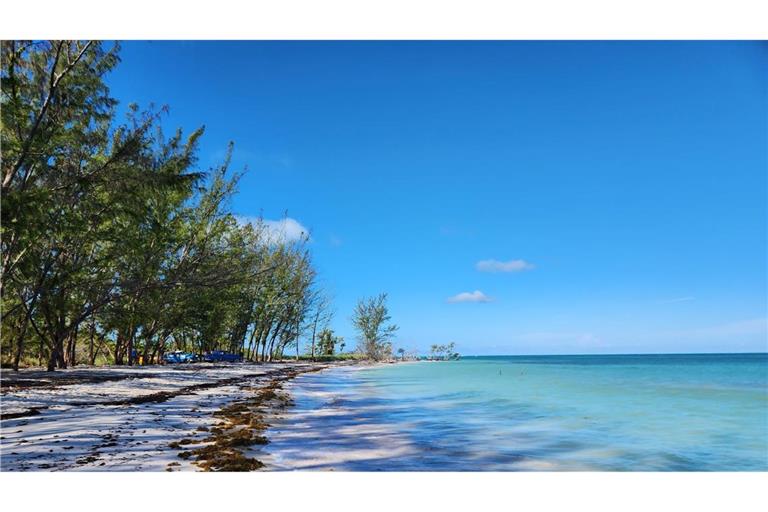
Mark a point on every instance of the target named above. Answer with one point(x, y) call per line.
point(117, 245)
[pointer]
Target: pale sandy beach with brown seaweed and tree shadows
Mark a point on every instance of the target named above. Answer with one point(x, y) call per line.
point(143, 418)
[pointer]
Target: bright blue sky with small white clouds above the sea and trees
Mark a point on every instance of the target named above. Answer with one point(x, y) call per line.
point(513, 197)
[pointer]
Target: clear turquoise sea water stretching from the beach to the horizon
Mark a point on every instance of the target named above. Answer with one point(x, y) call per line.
point(706, 412)
